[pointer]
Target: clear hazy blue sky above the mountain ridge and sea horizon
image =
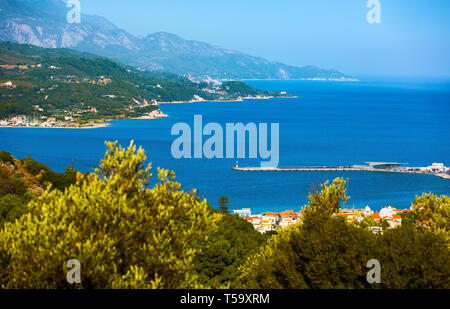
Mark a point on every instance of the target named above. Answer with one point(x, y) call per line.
point(413, 38)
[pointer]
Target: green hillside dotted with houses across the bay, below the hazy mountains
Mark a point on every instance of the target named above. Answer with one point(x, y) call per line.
point(64, 82)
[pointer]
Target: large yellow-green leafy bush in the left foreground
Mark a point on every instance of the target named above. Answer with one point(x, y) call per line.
point(125, 234)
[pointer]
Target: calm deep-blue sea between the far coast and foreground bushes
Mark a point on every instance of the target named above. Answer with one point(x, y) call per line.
point(330, 123)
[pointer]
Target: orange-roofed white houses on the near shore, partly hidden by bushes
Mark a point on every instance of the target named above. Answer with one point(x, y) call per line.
point(271, 221)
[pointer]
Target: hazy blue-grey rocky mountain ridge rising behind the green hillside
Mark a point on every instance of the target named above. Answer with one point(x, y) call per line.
point(43, 23)
